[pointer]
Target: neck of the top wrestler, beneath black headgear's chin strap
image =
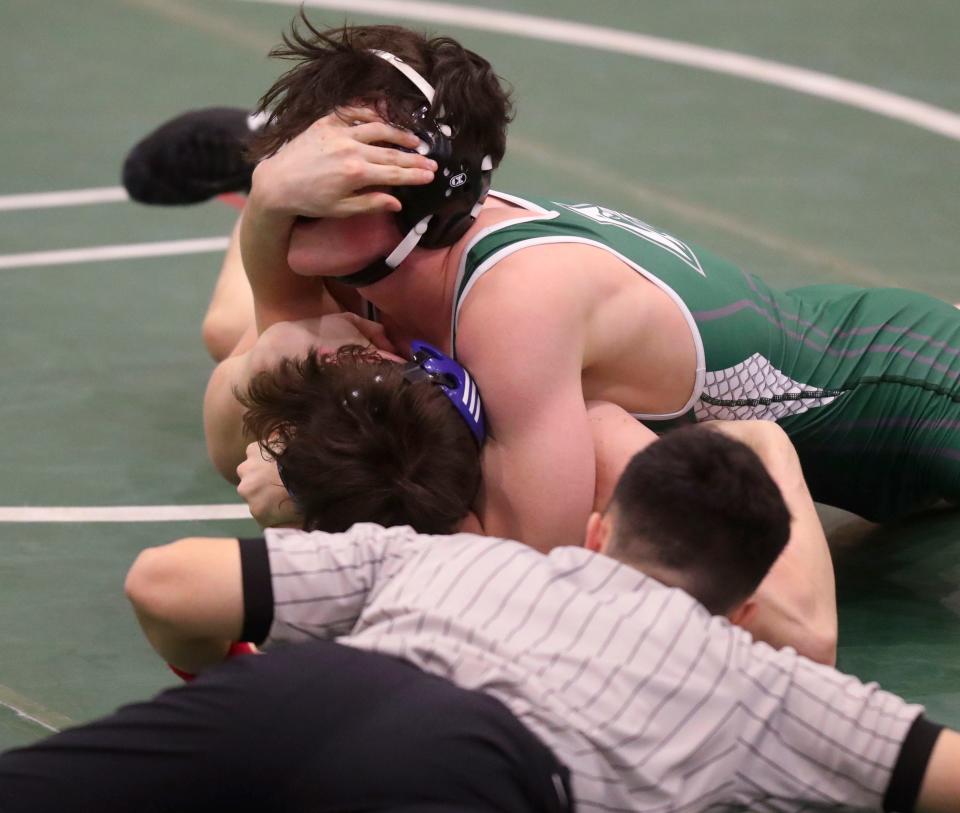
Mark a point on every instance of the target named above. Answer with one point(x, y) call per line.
point(417, 300)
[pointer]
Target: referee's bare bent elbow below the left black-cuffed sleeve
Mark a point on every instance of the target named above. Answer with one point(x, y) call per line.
point(188, 597)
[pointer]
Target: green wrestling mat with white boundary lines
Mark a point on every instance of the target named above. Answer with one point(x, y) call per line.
point(102, 366)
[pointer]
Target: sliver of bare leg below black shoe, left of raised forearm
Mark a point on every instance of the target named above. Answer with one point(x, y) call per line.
point(230, 312)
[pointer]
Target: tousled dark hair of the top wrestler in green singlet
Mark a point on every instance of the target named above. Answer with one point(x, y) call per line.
point(335, 68)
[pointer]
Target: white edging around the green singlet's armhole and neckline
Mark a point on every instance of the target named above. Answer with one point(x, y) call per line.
point(506, 251)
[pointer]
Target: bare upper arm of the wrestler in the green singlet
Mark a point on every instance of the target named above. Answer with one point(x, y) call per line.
point(526, 353)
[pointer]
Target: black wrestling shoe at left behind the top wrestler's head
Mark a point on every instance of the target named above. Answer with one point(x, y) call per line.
point(191, 158)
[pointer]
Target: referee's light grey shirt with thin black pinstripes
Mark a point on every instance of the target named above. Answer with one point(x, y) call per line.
point(654, 704)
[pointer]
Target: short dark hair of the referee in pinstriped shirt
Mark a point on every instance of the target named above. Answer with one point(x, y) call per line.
point(700, 506)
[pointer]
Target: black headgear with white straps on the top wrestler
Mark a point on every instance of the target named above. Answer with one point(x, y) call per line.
point(440, 212)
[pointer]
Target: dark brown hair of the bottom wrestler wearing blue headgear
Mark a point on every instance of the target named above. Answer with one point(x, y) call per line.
point(357, 443)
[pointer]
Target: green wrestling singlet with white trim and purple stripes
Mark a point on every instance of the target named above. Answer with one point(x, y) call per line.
point(864, 381)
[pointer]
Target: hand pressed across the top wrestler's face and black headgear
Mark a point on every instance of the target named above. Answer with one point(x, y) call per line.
point(338, 165)
